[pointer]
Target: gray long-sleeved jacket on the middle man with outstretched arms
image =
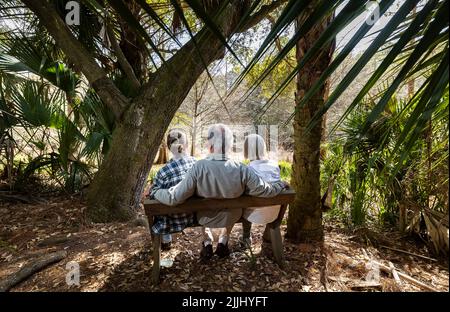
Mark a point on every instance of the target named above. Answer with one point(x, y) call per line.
point(218, 177)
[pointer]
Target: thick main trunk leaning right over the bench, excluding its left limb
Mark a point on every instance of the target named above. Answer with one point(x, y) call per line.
point(116, 190)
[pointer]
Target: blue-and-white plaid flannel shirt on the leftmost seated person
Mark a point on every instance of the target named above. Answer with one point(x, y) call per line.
point(170, 175)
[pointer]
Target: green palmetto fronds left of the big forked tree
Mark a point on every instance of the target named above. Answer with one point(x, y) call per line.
point(41, 96)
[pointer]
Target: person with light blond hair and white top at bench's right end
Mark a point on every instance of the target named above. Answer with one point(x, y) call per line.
point(269, 171)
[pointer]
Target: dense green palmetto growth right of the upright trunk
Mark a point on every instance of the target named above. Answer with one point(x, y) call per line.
point(369, 185)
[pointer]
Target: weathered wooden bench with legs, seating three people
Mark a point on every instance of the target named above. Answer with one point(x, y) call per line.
point(195, 204)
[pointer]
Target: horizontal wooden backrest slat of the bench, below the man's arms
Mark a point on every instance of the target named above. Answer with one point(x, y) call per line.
point(193, 204)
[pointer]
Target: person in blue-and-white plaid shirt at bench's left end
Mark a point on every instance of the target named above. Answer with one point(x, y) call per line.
point(170, 175)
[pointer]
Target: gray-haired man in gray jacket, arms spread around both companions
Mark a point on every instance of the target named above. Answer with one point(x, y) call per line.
point(217, 176)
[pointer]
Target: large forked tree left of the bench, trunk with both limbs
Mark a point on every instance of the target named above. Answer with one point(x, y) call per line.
point(141, 122)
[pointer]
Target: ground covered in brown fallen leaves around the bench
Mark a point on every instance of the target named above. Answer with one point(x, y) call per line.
point(117, 257)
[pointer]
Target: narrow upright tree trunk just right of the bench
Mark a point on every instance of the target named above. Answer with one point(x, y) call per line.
point(305, 214)
